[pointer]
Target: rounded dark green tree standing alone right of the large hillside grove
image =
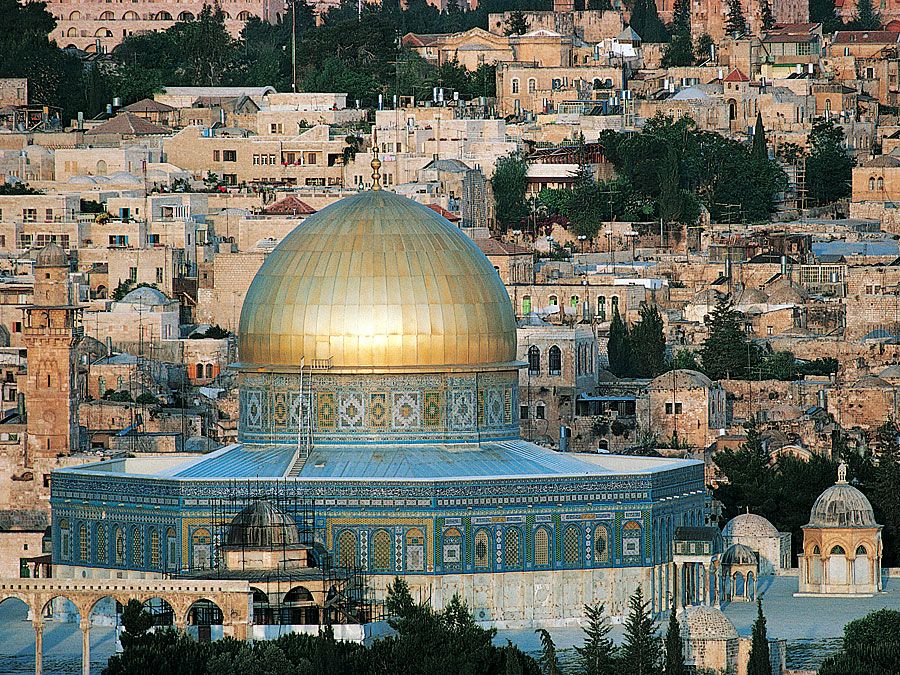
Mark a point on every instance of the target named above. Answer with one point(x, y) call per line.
point(829, 166)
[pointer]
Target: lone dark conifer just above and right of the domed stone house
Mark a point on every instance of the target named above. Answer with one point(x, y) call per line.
point(726, 351)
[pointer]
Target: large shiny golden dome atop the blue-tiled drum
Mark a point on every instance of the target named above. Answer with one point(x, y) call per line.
point(377, 281)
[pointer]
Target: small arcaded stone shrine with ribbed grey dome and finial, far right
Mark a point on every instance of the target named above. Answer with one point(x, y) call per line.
point(841, 544)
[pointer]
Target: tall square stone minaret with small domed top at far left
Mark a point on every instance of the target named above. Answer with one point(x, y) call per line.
point(51, 330)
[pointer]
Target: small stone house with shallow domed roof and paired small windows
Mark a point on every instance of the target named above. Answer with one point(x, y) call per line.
point(687, 405)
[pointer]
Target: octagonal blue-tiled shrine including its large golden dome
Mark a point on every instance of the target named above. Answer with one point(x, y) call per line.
point(379, 387)
